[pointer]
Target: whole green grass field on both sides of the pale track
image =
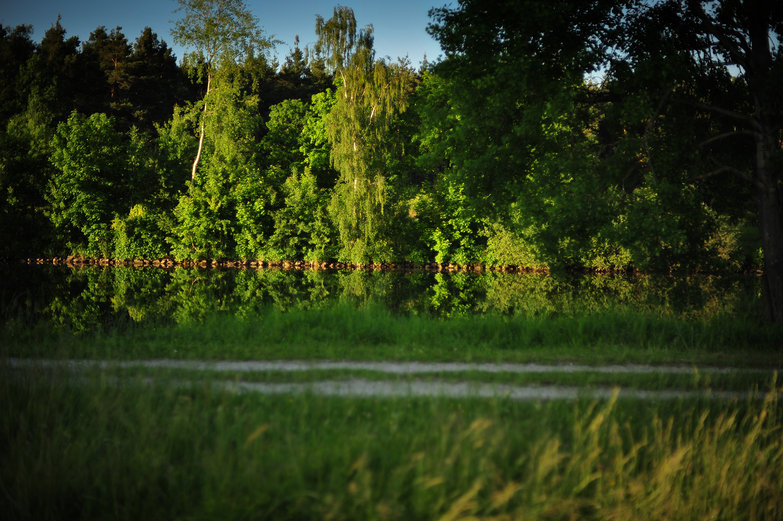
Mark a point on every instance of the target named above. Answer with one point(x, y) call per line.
point(141, 443)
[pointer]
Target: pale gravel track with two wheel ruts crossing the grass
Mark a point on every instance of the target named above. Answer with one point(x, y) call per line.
point(365, 387)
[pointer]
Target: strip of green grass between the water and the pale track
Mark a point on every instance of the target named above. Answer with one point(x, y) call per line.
point(376, 334)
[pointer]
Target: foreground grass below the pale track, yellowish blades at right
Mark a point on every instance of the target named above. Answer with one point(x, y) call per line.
point(96, 450)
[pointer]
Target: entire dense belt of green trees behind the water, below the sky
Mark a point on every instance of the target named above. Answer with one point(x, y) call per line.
point(601, 134)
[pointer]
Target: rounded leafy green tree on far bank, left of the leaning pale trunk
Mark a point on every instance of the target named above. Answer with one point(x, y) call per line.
point(110, 195)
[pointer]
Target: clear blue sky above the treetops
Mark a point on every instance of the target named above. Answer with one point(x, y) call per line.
point(399, 24)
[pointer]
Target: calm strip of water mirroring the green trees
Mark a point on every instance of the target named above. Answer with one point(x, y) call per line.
point(86, 298)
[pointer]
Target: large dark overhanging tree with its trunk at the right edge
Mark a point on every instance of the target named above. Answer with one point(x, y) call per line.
point(690, 93)
